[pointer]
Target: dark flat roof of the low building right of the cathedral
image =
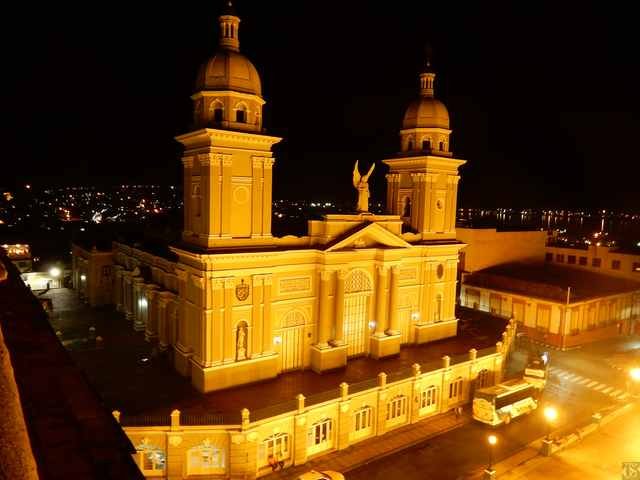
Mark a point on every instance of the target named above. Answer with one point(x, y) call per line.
point(549, 282)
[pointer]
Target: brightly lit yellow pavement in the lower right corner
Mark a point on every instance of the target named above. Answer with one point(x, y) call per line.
point(600, 455)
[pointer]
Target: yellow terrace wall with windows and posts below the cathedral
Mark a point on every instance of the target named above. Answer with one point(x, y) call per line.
point(239, 447)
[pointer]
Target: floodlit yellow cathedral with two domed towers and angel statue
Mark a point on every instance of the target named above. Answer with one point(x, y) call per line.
point(232, 303)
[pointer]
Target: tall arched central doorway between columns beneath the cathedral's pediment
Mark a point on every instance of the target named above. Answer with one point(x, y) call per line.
point(357, 290)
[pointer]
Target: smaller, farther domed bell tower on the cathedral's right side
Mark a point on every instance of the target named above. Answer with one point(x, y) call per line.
point(422, 184)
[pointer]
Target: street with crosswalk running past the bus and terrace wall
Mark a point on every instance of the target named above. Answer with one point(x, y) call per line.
point(580, 383)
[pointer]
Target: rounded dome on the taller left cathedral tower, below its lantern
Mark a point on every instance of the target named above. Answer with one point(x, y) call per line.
point(229, 70)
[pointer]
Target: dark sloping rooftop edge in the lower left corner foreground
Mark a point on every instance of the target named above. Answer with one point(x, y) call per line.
point(71, 433)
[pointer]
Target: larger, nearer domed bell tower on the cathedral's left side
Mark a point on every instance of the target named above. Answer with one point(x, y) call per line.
point(227, 159)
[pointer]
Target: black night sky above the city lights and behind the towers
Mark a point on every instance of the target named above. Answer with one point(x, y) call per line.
point(543, 96)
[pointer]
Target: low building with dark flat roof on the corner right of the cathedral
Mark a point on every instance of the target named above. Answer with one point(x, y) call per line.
point(555, 305)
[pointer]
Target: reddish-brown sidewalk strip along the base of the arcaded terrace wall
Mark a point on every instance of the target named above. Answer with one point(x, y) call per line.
point(378, 447)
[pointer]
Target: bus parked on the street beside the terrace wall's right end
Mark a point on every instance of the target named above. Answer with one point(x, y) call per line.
point(505, 401)
